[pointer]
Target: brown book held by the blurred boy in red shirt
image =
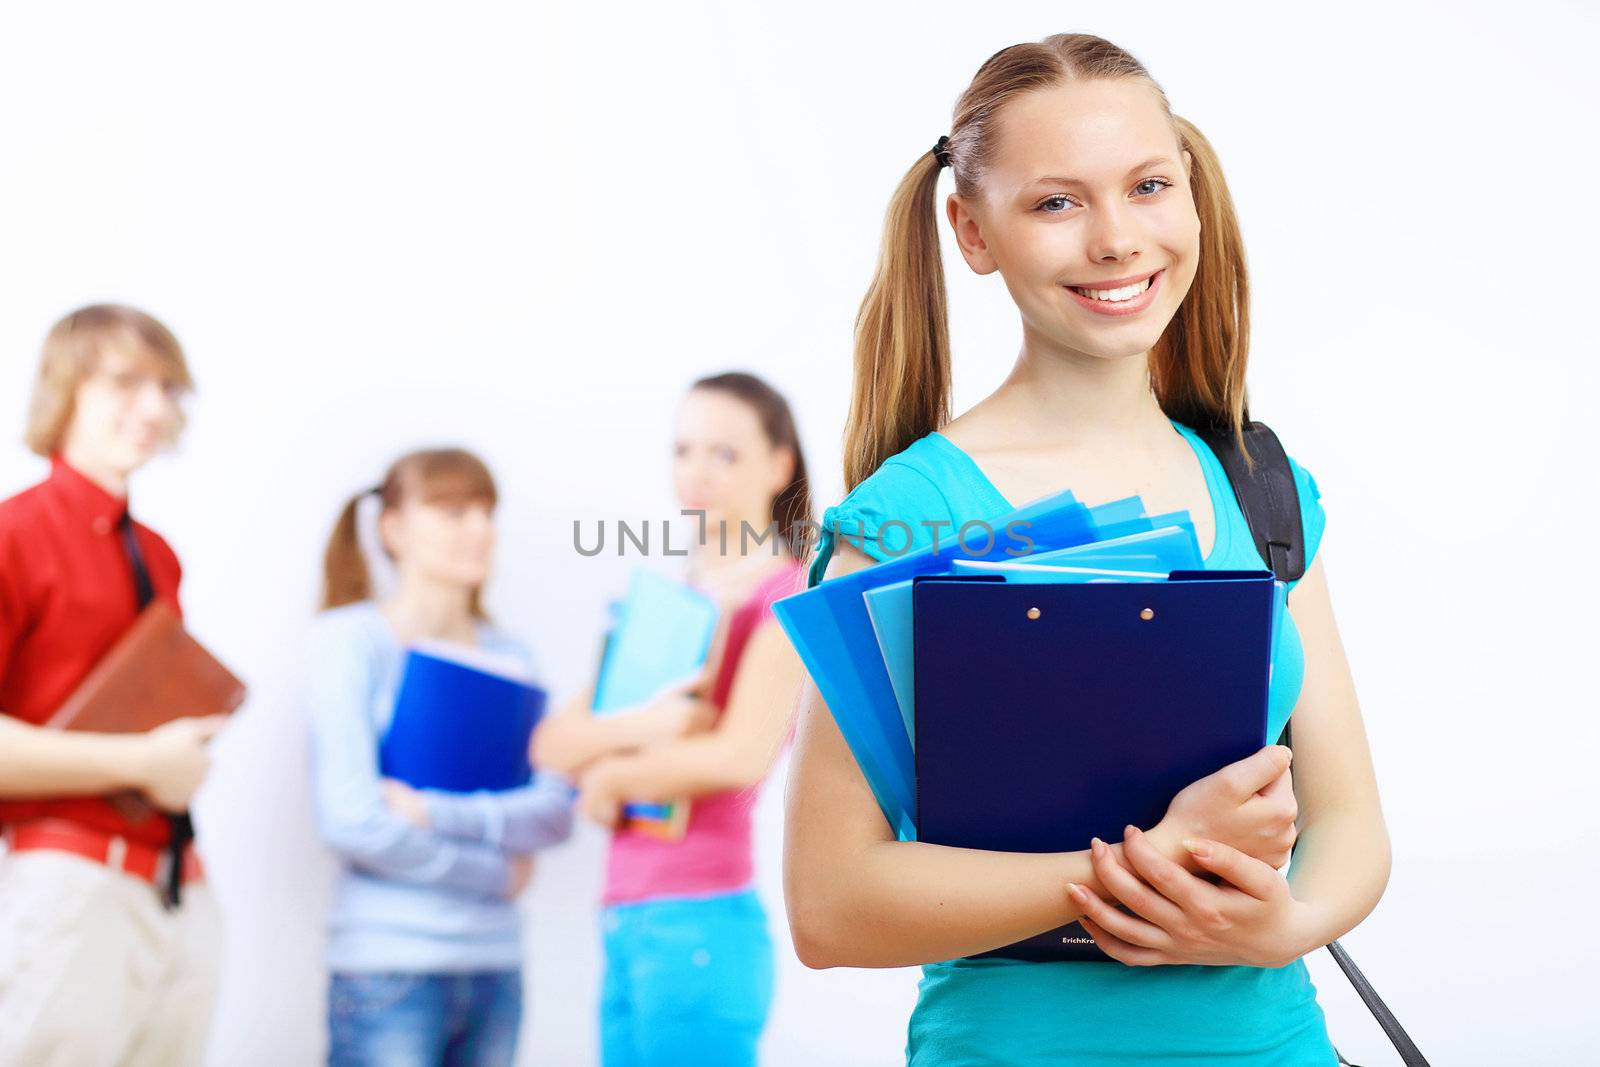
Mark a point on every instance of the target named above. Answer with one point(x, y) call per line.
point(154, 674)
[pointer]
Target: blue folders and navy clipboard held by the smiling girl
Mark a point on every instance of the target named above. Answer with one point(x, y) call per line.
point(1028, 701)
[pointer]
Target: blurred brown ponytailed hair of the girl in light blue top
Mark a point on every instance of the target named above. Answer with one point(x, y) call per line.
point(436, 476)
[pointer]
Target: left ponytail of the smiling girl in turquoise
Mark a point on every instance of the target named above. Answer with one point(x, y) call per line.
point(903, 335)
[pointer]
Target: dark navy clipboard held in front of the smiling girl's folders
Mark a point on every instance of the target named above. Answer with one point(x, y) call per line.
point(1049, 714)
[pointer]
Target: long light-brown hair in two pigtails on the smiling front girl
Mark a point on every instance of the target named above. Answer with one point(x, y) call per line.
point(903, 345)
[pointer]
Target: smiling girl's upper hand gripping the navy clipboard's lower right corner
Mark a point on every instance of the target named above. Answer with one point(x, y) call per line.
point(1249, 805)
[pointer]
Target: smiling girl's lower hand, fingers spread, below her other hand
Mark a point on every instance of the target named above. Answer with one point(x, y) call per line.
point(1178, 917)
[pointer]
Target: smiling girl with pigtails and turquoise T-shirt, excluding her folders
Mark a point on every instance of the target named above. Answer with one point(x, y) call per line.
point(1111, 226)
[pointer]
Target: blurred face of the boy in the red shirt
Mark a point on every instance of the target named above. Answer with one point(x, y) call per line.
point(124, 412)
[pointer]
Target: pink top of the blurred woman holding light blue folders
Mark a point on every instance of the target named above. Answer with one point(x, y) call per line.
point(714, 855)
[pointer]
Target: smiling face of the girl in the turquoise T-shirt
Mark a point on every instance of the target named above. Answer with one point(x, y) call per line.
point(1089, 191)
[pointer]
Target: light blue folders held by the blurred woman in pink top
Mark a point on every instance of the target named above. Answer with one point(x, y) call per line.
point(662, 634)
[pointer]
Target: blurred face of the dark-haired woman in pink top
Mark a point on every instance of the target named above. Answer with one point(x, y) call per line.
point(724, 463)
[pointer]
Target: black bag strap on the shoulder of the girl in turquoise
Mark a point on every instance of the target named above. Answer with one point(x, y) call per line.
point(1270, 500)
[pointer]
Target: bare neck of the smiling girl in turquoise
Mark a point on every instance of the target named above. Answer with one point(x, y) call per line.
point(1074, 398)
